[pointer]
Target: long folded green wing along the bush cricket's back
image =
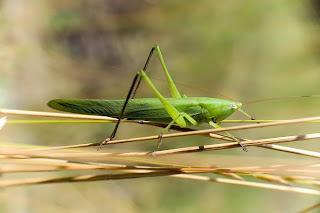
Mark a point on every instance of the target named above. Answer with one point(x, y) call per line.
point(149, 109)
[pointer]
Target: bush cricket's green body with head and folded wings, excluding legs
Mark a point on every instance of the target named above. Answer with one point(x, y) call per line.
point(201, 109)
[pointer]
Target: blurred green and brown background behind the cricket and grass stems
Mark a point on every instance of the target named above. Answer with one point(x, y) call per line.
point(246, 50)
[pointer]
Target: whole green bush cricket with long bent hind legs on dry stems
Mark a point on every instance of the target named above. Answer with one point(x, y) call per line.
point(181, 110)
